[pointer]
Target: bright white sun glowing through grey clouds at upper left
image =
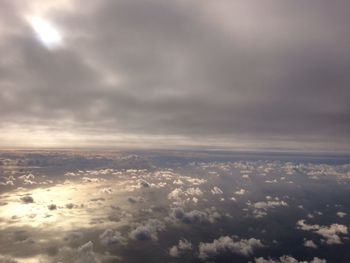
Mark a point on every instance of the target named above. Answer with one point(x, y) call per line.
point(48, 35)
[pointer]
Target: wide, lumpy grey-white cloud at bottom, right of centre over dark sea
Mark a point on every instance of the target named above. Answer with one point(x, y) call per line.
point(226, 244)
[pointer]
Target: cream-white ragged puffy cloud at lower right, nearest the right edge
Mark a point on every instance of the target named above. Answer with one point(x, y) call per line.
point(330, 233)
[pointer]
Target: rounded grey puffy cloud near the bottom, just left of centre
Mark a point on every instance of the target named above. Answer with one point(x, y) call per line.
point(147, 230)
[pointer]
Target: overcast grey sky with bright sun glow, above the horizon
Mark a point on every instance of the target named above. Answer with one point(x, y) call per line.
point(151, 73)
